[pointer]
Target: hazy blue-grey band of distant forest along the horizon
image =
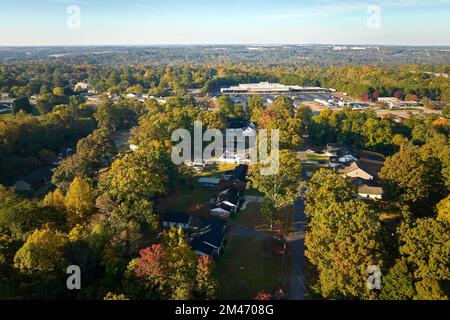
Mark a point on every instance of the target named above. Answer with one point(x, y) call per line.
point(288, 55)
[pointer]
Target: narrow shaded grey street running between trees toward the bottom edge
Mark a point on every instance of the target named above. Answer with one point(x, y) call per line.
point(298, 287)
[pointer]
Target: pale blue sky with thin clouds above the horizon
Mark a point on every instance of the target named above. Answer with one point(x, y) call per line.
point(141, 22)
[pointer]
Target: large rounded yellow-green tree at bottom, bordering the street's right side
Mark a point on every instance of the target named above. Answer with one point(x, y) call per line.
point(343, 241)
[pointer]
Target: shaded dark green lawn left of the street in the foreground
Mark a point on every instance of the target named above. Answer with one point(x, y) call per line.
point(246, 269)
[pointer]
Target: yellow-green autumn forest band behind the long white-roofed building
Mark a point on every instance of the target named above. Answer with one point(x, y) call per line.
point(369, 81)
